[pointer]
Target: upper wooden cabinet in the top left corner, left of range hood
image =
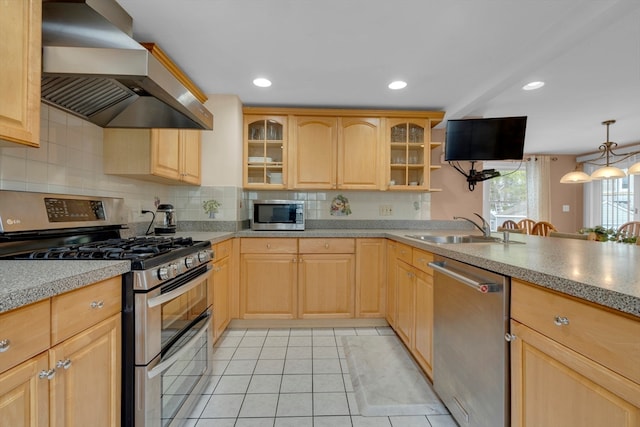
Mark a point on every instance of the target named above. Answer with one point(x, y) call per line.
point(20, 50)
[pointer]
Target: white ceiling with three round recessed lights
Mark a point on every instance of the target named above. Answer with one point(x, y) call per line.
point(465, 57)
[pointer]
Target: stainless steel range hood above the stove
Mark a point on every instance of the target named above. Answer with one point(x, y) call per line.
point(92, 67)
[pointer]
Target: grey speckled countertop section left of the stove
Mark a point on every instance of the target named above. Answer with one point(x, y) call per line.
point(23, 282)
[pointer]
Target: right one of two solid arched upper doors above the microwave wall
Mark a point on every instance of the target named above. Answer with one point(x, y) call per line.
point(359, 153)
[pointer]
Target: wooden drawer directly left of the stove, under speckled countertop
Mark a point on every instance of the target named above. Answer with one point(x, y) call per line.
point(77, 310)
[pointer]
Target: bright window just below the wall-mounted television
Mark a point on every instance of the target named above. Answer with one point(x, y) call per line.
point(506, 195)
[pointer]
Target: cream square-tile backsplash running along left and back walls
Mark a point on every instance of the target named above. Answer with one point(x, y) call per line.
point(70, 161)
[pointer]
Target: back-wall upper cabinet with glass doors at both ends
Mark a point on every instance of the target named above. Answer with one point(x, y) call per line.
point(328, 149)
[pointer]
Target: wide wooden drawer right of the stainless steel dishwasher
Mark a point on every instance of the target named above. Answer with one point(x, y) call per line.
point(608, 338)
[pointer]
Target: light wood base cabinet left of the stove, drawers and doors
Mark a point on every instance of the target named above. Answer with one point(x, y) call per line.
point(75, 377)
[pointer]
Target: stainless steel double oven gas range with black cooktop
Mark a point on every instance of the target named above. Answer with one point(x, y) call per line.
point(167, 339)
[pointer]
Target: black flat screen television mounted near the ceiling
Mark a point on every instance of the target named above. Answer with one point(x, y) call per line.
point(499, 138)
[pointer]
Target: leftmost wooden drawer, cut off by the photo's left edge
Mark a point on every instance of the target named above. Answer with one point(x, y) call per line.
point(24, 332)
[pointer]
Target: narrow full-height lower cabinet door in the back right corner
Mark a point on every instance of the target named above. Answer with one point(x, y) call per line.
point(370, 278)
